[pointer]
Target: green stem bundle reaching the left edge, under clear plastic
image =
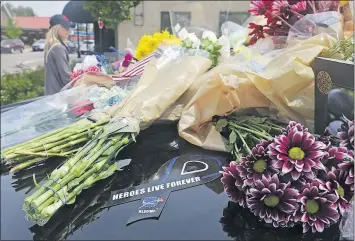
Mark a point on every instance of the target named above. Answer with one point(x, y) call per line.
point(62, 142)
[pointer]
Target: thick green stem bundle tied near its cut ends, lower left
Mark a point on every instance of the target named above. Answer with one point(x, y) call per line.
point(90, 164)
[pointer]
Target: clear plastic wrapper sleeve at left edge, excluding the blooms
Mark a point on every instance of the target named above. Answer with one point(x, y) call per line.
point(41, 116)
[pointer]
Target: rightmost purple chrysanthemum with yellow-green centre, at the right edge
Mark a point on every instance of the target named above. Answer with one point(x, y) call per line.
point(335, 183)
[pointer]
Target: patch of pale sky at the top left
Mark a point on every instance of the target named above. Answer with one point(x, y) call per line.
point(43, 8)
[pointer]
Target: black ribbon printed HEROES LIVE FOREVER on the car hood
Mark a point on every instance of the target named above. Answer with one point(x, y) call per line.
point(178, 173)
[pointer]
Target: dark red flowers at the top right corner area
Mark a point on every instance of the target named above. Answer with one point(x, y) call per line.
point(282, 15)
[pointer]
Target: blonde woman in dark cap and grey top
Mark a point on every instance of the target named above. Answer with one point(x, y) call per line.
point(56, 55)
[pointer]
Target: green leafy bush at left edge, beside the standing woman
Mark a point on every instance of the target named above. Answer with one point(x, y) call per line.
point(22, 86)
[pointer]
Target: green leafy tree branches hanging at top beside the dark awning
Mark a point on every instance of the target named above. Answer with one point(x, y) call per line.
point(111, 12)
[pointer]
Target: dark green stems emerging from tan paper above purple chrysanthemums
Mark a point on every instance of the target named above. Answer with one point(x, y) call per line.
point(242, 132)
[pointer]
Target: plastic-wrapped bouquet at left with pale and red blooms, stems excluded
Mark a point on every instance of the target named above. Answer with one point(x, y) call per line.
point(56, 111)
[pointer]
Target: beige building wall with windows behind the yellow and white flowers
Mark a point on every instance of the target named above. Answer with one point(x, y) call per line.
point(152, 16)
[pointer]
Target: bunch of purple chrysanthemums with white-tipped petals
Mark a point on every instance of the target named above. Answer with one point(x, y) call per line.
point(295, 179)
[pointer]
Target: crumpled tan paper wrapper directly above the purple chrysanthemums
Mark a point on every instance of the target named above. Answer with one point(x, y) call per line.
point(284, 83)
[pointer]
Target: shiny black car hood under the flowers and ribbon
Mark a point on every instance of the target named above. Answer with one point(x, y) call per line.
point(198, 213)
